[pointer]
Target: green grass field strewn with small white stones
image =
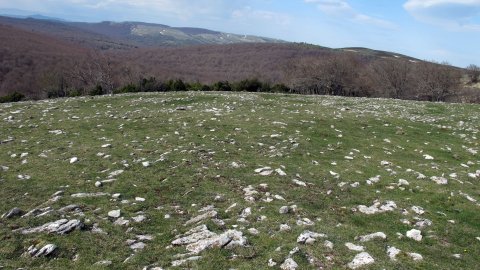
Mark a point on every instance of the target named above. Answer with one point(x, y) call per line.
point(168, 158)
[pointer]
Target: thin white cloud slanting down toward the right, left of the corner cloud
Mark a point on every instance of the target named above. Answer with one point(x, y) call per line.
point(341, 8)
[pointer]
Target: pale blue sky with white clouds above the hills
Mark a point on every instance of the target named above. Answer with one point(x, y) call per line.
point(441, 30)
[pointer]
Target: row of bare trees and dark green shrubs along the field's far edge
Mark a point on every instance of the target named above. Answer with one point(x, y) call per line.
point(335, 73)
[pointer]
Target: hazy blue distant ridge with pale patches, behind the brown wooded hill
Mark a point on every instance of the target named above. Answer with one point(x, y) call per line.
point(125, 35)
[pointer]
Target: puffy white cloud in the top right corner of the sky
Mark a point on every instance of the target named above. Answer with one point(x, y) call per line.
point(450, 14)
